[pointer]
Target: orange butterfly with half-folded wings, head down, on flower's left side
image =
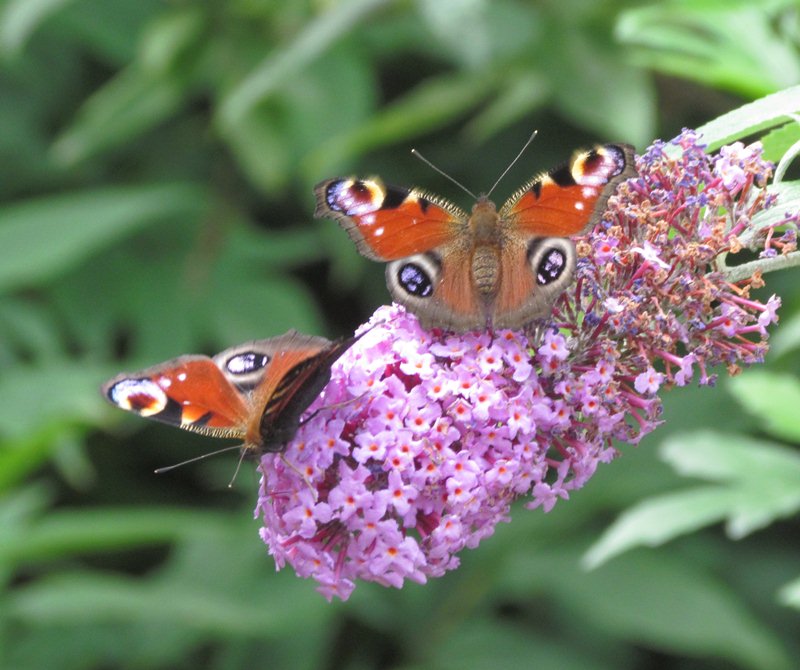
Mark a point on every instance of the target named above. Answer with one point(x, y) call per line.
point(255, 392)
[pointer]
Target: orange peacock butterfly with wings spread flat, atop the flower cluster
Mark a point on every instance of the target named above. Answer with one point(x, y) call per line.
point(488, 269)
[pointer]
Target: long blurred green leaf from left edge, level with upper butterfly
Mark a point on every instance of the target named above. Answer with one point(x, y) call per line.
point(42, 238)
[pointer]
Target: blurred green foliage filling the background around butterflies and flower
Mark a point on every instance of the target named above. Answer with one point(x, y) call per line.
point(156, 163)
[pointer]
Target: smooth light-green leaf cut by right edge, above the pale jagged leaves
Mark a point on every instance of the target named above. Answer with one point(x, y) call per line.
point(771, 397)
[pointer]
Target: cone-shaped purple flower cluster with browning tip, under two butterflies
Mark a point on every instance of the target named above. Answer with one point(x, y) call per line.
point(423, 439)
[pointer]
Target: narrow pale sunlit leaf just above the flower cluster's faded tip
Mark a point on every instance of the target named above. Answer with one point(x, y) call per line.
point(767, 112)
